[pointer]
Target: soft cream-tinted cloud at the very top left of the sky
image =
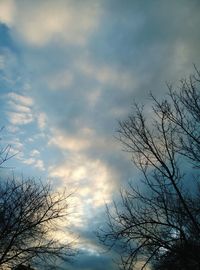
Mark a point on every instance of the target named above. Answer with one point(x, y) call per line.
point(39, 22)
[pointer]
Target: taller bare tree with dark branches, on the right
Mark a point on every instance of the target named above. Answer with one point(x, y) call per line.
point(163, 217)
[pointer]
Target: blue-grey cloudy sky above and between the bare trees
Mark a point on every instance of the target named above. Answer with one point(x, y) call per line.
point(69, 70)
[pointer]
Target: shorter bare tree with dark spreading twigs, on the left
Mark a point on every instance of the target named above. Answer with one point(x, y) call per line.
point(30, 214)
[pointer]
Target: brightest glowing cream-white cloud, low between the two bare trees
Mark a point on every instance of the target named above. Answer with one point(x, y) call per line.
point(92, 181)
